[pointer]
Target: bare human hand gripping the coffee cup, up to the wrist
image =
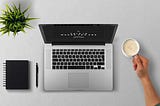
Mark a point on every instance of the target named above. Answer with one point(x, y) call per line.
point(140, 65)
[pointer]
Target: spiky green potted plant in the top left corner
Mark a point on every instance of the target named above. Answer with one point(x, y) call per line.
point(14, 20)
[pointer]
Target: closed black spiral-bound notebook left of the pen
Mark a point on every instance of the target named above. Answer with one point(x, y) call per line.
point(17, 74)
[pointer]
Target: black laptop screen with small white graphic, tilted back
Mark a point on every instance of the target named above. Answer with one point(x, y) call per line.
point(78, 33)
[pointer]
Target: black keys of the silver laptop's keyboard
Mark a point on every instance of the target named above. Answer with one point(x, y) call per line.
point(78, 59)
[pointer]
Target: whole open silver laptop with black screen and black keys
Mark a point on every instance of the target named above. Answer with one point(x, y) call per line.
point(78, 56)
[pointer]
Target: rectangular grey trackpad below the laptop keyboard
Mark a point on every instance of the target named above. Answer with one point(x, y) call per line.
point(78, 80)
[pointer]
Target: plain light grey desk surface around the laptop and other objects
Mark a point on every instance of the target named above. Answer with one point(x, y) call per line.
point(139, 19)
